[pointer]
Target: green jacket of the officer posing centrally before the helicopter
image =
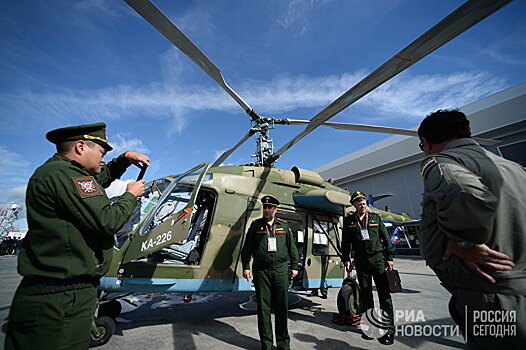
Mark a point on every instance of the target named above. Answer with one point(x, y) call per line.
point(256, 245)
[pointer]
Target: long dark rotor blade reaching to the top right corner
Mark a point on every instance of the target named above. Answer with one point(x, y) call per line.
point(457, 22)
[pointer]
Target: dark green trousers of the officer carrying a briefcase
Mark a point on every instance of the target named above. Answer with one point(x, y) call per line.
point(373, 267)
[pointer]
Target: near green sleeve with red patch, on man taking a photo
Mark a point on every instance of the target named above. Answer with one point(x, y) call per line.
point(92, 213)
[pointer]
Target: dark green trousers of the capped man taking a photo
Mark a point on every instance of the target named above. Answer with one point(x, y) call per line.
point(54, 320)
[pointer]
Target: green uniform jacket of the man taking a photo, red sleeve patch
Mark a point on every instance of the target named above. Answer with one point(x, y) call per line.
point(71, 220)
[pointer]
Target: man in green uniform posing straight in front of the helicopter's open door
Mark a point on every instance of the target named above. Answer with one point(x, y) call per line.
point(270, 243)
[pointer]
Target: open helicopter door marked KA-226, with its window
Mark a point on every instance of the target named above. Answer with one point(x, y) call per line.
point(168, 223)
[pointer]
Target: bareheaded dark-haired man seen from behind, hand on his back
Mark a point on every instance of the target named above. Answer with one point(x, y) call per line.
point(473, 231)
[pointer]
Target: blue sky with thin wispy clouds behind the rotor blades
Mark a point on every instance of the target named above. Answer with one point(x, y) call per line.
point(66, 63)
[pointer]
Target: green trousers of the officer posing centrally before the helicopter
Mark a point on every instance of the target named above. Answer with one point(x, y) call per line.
point(272, 286)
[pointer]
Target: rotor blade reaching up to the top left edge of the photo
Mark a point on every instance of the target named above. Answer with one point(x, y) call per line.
point(166, 27)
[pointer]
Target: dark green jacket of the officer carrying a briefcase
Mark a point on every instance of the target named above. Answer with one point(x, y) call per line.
point(379, 239)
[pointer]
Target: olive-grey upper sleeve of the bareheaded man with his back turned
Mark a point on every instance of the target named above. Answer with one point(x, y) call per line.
point(465, 208)
